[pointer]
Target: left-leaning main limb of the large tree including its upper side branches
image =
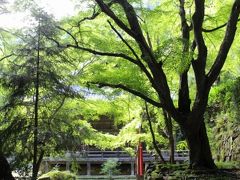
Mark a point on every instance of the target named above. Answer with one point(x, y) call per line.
point(157, 76)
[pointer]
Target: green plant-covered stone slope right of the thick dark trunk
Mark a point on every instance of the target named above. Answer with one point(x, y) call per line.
point(224, 120)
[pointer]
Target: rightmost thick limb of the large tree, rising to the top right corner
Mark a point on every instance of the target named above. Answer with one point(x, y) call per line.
point(226, 44)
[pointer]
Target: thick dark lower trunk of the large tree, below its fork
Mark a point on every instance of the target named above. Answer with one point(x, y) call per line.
point(200, 153)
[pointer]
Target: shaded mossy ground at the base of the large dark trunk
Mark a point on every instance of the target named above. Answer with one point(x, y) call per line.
point(180, 172)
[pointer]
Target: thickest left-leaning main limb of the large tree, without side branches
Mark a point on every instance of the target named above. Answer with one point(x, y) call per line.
point(160, 81)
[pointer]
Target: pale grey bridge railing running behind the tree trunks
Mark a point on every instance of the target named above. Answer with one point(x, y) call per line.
point(87, 158)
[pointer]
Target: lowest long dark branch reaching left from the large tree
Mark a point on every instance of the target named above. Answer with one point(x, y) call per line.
point(132, 91)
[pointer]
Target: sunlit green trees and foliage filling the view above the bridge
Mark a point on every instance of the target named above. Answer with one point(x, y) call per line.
point(154, 63)
